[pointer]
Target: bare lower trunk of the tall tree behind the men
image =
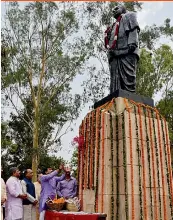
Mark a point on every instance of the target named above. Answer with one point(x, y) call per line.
point(35, 144)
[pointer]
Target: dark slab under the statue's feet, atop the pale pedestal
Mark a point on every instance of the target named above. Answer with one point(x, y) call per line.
point(125, 94)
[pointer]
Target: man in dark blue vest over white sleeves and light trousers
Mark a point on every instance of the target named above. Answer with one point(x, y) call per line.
point(29, 205)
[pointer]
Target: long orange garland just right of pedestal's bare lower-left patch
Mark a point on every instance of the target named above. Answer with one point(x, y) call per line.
point(98, 159)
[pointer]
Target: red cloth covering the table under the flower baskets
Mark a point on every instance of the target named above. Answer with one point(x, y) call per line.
point(51, 215)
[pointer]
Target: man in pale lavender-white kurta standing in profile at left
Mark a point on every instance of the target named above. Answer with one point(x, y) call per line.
point(15, 196)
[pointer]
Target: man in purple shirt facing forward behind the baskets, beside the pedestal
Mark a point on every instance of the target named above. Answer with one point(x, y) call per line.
point(67, 188)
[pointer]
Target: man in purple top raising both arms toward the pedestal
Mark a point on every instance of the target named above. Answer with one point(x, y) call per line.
point(48, 188)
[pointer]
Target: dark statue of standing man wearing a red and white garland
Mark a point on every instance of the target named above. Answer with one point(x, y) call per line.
point(121, 40)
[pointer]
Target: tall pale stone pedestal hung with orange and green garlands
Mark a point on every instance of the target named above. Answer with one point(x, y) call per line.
point(125, 164)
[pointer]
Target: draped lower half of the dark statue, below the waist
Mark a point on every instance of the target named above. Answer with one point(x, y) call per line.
point(123, 73)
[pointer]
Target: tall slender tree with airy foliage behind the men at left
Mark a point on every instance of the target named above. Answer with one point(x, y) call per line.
point(39, 63)
